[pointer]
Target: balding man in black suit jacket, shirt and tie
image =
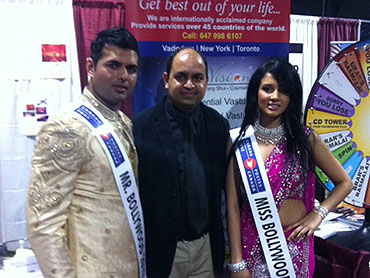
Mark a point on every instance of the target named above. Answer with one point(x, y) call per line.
point(181, 148)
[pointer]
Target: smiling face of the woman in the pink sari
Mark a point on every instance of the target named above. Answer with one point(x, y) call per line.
point(271, 102)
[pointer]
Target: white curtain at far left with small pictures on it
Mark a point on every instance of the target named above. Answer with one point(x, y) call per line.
point(25, 78)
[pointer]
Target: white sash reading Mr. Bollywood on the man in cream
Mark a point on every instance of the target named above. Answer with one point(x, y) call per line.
point(123, 175)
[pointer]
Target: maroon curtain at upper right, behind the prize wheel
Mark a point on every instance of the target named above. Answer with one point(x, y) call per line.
point(330, 29)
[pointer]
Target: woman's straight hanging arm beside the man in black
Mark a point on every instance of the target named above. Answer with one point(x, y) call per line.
point(233, 218)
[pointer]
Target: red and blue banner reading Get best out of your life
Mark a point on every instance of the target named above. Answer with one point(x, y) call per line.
point(236, 36)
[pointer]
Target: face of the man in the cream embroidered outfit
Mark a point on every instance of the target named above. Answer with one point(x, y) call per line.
point(114, 77)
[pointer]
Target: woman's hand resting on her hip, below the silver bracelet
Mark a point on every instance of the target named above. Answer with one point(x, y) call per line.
point(305, 227)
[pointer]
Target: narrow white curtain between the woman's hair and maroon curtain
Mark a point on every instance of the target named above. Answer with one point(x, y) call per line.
point(303, 29)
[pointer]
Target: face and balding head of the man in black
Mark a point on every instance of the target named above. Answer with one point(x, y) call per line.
point(187, 81)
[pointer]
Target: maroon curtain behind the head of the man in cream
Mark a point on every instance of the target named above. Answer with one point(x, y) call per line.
point(90, 17)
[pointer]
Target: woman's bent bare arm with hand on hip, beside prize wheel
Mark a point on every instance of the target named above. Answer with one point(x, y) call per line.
point(335, 172)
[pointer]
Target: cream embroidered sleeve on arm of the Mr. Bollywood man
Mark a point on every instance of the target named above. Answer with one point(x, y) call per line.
point(57, 156)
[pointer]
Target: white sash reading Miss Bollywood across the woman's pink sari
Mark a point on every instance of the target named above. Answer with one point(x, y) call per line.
point(262, 204)
